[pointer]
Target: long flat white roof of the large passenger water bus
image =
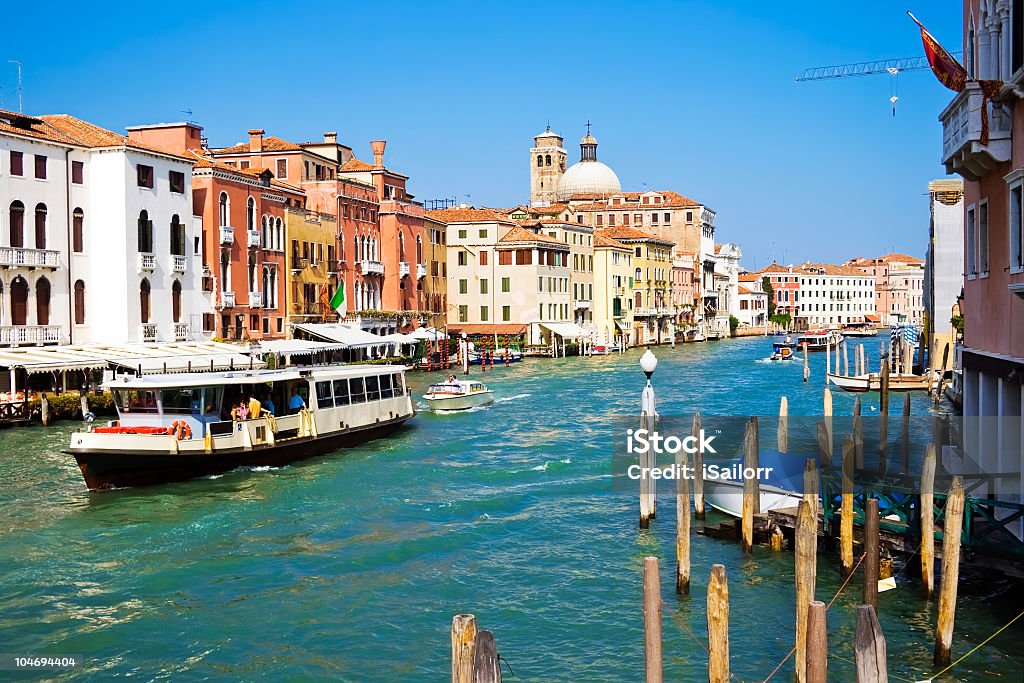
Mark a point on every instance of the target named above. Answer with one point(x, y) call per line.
point(243, 377)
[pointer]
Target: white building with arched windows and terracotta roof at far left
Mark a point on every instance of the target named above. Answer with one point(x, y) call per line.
point(122, 260)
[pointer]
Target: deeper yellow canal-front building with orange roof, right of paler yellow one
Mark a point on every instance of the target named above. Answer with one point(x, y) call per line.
point(651, 284)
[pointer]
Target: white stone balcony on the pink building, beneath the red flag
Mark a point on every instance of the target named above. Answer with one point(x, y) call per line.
point(963, 152)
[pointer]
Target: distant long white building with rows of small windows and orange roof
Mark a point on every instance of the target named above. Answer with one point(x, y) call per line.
point(834, 295)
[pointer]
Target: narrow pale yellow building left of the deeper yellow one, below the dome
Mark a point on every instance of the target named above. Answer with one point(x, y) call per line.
point(613, 304)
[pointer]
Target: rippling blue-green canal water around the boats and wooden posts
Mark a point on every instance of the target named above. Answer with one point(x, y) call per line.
point(351, 568)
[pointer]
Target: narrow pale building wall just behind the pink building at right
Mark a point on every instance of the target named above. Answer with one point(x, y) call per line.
point(944, 268)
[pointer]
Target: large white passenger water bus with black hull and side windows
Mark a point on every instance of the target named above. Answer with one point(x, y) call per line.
point(175, 428)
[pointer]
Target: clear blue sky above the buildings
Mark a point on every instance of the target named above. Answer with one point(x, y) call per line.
point(699, 98)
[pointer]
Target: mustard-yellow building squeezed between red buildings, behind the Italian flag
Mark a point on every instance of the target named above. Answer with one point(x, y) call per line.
point(311, 265)
